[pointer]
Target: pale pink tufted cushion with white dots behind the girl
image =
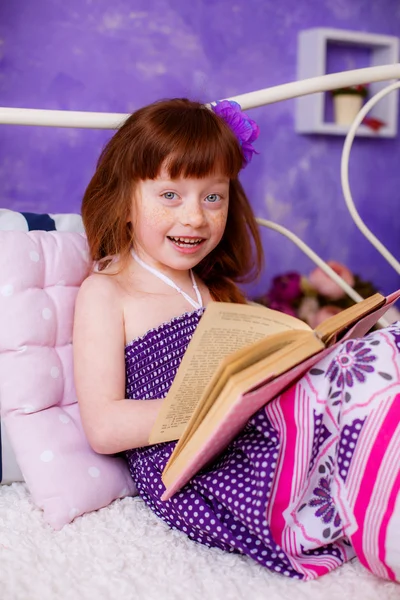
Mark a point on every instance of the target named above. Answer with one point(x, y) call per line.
point(40, 273)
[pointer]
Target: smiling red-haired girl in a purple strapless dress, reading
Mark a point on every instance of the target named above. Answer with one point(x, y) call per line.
point(169, 228)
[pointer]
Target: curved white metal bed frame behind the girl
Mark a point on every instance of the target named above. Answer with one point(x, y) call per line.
point(96, 120)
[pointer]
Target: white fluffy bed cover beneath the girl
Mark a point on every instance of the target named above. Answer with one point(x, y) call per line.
point(124, 552)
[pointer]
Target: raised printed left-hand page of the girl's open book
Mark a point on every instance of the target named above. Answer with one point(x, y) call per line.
point(223, 329)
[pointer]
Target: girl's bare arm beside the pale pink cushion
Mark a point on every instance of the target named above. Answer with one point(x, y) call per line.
point(111, 423)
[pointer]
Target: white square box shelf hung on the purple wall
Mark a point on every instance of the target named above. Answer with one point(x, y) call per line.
point(312, 59)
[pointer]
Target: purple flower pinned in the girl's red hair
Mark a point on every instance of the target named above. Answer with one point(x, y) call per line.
point(245, 129)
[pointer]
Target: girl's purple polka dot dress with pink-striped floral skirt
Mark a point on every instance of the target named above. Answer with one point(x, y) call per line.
point(291, 490)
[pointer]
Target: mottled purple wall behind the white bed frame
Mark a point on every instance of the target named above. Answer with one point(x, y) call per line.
point(117, 56)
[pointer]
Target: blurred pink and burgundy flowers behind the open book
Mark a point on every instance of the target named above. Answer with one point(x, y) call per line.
point(316, 297)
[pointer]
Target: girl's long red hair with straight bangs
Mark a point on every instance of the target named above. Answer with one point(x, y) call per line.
point(193, 142)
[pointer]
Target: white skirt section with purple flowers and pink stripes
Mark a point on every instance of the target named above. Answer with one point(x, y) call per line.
point(337, 481)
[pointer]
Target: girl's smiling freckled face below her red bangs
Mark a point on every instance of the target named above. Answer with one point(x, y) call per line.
point(176, 223)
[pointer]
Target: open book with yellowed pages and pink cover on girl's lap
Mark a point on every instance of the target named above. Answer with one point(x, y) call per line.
point(239, 358)
